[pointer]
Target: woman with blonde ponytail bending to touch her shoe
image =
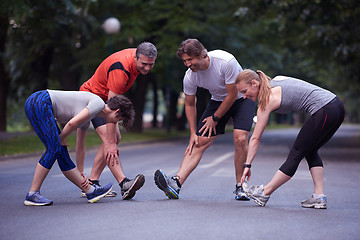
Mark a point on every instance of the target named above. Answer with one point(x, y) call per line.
point(283, 95)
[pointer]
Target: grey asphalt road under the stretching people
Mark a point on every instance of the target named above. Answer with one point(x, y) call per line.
point(206, 208)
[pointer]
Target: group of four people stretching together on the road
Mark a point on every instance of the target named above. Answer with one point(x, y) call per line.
point(234, 92)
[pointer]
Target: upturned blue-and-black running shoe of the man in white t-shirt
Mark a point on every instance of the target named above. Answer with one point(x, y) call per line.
point(170, 186)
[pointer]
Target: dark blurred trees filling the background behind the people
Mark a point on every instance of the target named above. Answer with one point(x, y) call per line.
point(59, 44)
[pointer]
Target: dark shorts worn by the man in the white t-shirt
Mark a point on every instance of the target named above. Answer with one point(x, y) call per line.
point(242, 112)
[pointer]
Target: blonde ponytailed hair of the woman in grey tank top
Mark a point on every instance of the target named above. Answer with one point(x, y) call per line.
point(264, 87)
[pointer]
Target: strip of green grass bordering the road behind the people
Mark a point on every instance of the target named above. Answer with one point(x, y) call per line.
point(32, 144)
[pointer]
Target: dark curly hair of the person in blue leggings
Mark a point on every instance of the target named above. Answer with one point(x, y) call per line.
point(126, 109)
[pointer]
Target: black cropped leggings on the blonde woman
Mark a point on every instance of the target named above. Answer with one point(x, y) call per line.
point(317, 130)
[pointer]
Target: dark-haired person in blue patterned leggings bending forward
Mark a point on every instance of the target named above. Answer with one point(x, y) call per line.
point(72, 109)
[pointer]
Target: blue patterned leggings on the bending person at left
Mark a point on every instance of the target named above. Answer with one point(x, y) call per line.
point(38, 109)
